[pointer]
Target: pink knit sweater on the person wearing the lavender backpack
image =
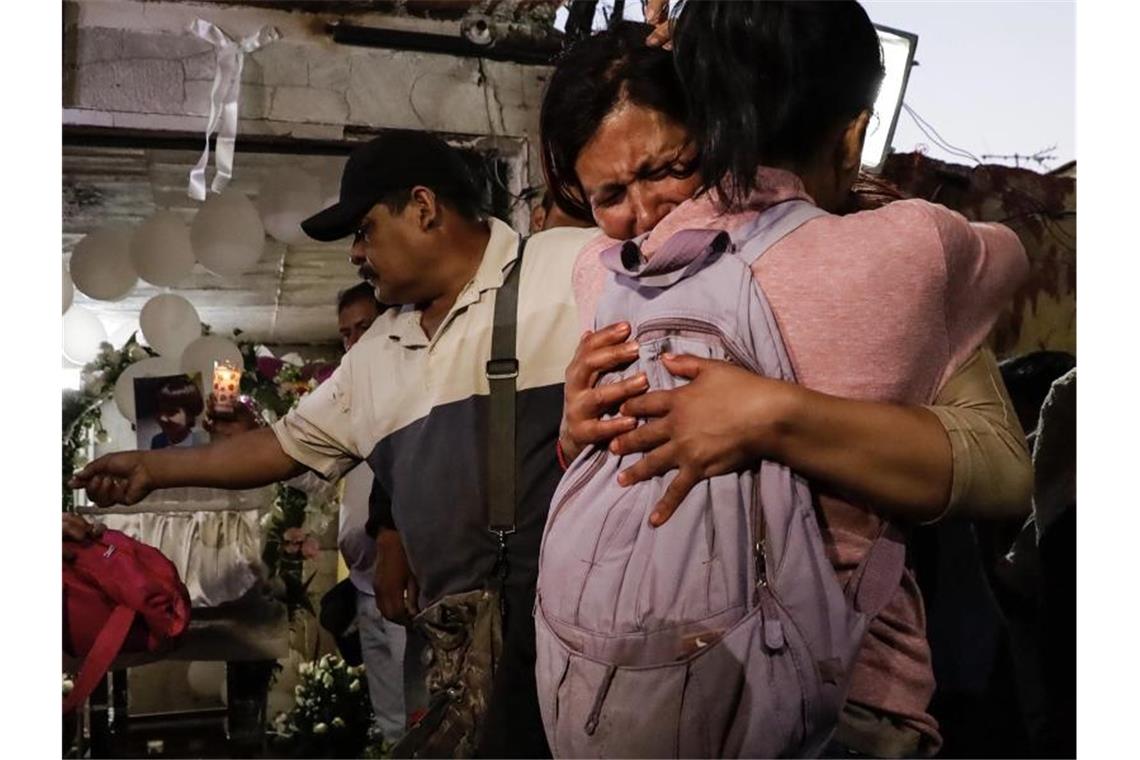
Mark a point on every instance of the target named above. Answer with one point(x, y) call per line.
point(882, 306)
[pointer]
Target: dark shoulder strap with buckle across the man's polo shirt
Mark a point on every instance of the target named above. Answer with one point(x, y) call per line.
point(502, 373)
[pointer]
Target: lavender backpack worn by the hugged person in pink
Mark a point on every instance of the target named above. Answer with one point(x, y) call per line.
point(724, 633)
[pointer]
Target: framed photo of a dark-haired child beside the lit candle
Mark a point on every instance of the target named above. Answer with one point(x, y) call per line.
point(169, 412)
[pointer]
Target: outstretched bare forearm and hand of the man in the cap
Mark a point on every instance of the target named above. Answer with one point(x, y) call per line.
point(248, 461)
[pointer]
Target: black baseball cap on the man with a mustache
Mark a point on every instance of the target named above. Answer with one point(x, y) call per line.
point(394, 161)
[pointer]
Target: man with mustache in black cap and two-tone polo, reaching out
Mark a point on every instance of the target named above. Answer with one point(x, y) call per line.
point(413, 397)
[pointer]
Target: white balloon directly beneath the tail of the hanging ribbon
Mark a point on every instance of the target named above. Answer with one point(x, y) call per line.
point(227, 234)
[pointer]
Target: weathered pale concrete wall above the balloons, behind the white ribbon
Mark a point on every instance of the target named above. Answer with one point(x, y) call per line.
point(135, 66)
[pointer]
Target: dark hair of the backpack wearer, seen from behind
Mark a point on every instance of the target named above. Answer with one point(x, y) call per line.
point(766, 81)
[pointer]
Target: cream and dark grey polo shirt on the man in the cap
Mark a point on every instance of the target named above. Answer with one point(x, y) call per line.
point(417, 410)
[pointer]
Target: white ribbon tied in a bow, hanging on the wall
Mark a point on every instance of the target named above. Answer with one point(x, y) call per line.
point(224, 102)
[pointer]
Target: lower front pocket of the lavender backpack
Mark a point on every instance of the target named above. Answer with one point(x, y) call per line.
point(751, 693)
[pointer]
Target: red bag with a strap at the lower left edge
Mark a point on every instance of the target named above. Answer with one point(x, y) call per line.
point(119, 596)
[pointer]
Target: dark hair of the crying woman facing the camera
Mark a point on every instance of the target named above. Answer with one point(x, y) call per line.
point(592, 78)
